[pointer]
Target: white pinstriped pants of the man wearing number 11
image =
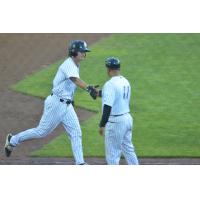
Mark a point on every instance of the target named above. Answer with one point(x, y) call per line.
point(118, 140)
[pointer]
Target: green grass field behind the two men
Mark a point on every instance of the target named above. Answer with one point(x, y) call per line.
point(164, 71)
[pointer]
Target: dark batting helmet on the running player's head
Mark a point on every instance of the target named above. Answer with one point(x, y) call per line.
point(77, 46)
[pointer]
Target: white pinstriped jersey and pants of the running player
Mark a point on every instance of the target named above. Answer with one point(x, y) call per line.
point(56, 112)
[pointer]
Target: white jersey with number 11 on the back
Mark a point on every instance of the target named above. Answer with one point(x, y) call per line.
point(116, 93)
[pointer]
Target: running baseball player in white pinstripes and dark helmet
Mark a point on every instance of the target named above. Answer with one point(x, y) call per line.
point(58, 107)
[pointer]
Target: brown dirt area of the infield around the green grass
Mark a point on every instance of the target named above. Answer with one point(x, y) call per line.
point(23, 54)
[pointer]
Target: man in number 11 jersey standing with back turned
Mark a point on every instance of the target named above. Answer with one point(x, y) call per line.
point(116, 119)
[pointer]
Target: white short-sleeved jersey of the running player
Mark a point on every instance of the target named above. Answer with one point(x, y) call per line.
point(63, 87)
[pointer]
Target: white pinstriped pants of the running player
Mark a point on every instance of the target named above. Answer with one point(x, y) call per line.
point(56, 112)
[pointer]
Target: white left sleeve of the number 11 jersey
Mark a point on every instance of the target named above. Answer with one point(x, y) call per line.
point(108, 94)
